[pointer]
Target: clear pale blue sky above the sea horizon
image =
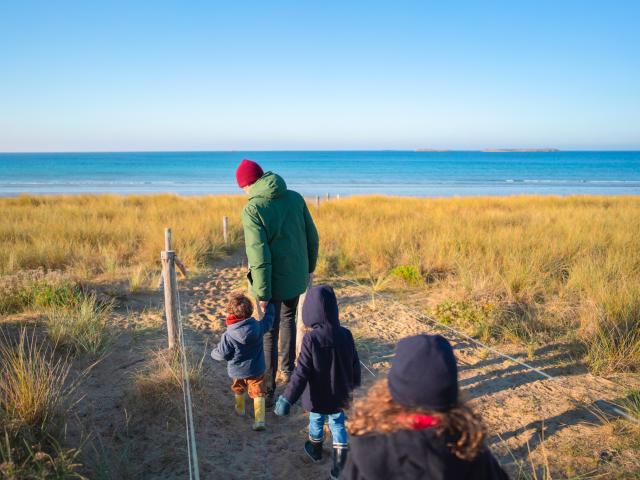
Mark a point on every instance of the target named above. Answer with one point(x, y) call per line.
point(214, 75)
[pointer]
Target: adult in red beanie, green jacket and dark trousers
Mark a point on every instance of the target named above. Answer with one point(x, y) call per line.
point(281, 241)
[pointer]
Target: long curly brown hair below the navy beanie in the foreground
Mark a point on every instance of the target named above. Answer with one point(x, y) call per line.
point(378, 412)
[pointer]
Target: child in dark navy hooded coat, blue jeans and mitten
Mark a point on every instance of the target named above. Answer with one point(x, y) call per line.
point(326, 373)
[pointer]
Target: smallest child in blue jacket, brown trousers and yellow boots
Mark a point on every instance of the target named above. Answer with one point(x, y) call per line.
point(241, 345)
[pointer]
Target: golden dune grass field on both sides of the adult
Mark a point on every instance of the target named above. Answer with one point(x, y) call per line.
point(524, 269)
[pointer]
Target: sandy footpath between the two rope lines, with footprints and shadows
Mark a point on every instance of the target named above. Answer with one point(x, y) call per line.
point(518, 405)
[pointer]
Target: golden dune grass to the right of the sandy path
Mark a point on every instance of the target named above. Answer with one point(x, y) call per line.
point(523, 269)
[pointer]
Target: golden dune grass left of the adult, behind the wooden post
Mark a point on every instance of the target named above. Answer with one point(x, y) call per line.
point(110, 235)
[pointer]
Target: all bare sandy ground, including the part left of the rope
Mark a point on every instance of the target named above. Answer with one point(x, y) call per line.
point(517, 405)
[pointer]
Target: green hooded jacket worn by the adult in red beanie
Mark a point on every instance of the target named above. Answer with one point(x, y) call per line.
point(281, 239)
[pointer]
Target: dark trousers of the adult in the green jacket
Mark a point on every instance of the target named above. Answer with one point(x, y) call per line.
point(283, 331)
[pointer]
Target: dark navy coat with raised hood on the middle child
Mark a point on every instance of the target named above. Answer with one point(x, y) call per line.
point(328, 367)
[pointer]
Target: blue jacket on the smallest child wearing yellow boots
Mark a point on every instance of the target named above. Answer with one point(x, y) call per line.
point(241, 346)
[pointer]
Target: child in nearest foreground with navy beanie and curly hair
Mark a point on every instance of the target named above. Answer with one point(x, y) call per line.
point(413, 425)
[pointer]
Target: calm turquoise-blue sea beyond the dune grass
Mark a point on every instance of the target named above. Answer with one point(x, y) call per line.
point(347, 173)
